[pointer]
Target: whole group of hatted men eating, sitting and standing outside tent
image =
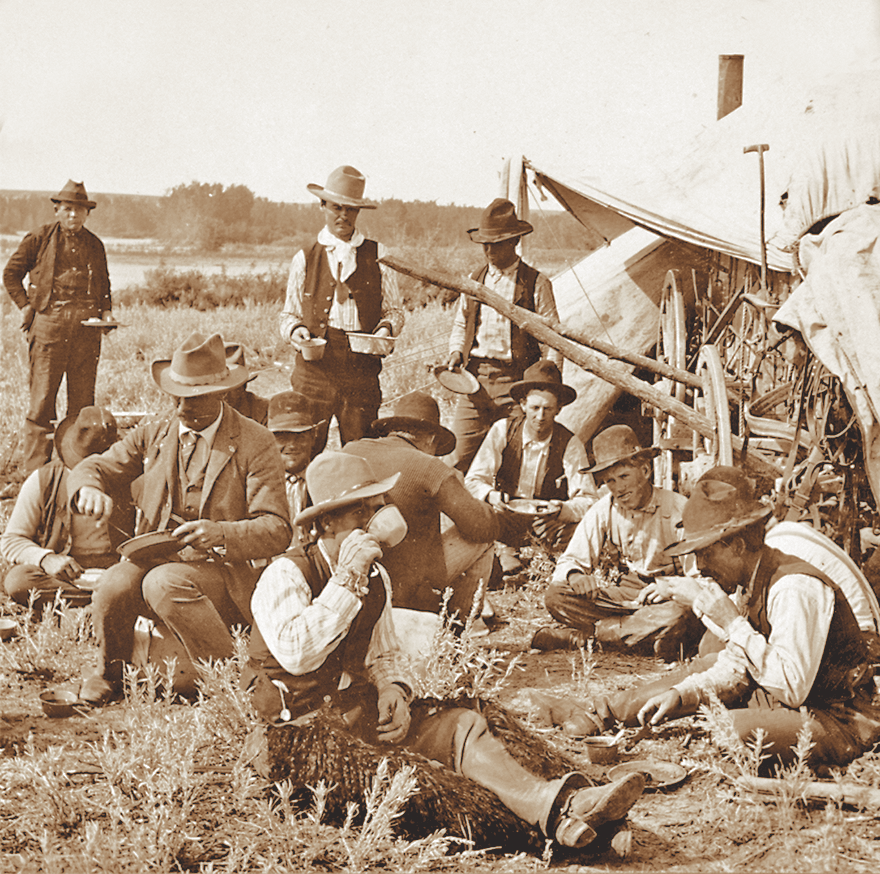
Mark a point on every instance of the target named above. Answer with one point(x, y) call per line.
point(274, 532)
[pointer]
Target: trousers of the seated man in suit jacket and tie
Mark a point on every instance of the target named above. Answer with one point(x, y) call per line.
point(193, 599)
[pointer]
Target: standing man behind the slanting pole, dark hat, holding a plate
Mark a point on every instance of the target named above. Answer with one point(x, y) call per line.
point(483, 341)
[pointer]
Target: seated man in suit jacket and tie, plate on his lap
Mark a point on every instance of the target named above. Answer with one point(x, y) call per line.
point(211, 477)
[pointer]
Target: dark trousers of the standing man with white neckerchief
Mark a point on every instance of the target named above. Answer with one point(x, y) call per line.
point(344, 384)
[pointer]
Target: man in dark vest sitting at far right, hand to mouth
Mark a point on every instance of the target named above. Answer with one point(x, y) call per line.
point(790, 643)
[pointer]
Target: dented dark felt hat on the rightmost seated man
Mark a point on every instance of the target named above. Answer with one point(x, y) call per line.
point(722, 503)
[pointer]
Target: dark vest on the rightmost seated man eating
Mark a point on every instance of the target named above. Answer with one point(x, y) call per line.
point(845, 665)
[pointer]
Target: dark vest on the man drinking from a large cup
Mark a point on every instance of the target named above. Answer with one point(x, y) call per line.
point(306, 692)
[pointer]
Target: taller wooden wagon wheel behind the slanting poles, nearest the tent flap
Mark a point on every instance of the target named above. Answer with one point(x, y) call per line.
point(671, 349)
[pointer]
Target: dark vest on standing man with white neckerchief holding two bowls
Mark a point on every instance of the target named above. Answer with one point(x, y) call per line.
point(365, 285)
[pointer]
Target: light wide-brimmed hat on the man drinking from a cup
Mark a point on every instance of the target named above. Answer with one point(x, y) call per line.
point(337, 479)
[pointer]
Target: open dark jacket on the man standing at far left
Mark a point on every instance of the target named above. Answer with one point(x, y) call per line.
point(35, 257)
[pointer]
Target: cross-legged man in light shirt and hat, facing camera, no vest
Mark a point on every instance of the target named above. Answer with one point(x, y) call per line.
point(615, 552)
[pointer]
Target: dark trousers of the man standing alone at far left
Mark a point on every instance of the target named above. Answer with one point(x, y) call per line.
point(58, 345)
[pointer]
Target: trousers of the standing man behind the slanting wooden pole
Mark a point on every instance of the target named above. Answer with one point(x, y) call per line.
point(475, 414)
